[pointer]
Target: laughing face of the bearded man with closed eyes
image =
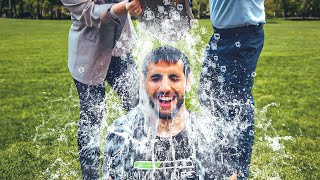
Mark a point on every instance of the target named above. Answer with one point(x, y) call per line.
point(165, 86)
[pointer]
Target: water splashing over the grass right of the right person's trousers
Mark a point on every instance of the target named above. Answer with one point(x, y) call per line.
point(268, 145)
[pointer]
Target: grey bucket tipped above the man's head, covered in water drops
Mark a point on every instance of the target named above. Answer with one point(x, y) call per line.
point(167, 20)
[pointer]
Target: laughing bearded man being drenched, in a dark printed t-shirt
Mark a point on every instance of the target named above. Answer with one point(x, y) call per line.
point(153, 140)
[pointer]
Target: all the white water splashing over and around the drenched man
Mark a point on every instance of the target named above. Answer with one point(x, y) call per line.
point(209, 134)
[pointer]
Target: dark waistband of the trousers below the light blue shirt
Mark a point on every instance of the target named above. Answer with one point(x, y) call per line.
point(243, 29)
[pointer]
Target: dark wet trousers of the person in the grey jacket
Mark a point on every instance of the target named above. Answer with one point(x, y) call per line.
point(122, 76)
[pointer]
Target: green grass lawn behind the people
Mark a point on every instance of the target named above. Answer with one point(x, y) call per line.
point(39, 108)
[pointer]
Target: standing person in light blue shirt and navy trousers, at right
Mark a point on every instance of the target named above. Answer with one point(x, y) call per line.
point(228, 70)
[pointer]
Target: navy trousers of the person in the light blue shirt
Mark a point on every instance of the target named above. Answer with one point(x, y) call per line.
point(226, 83)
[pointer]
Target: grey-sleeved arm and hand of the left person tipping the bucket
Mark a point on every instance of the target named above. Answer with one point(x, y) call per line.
point(93, 14)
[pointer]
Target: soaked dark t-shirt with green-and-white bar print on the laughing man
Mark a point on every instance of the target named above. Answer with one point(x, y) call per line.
point(133, 151)
